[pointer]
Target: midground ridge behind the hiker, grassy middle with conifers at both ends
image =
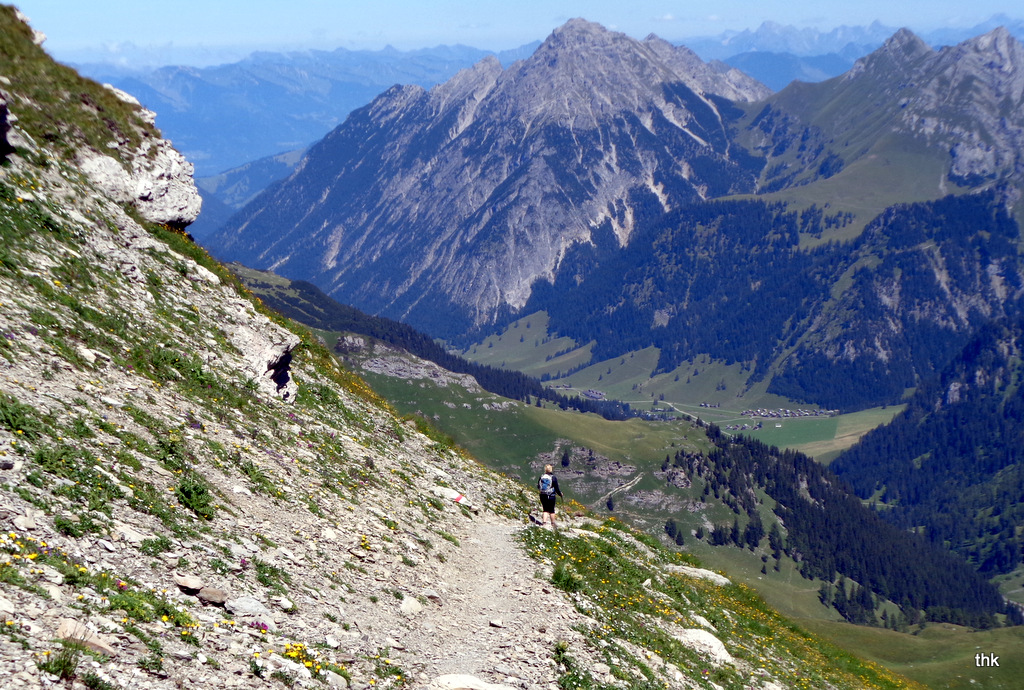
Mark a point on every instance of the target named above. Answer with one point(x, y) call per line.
point(652, 480)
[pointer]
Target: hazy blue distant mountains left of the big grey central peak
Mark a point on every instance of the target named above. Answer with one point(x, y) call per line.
point(226, 116)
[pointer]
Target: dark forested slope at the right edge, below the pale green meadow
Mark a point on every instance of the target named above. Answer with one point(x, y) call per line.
point(951, 463)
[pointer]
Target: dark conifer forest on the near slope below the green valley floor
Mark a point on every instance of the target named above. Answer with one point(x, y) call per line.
point(836, 538)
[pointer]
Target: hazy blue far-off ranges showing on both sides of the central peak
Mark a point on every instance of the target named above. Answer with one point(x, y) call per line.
point(231, 115)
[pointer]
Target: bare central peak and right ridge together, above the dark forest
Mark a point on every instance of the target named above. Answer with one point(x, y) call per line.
point(450, 208)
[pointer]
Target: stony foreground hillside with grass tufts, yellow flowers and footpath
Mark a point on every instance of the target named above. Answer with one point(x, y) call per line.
point(196, 495)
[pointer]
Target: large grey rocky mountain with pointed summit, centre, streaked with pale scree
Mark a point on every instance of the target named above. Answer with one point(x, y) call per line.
point(444, 207)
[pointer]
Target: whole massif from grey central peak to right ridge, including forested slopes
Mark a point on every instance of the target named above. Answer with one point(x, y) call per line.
point(580, 182)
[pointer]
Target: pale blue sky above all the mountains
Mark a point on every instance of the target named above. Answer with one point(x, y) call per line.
point(210, 31)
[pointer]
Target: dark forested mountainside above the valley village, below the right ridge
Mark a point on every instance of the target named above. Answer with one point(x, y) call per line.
point(731, 280)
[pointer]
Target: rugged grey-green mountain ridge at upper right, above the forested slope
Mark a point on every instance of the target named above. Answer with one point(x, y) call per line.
point(959, 107)
